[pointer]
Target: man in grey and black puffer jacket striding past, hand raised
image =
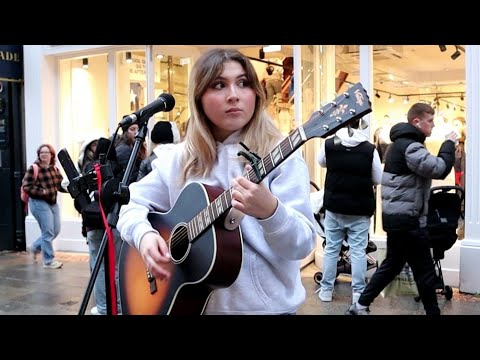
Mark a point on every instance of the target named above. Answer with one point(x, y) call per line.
point(407, 177)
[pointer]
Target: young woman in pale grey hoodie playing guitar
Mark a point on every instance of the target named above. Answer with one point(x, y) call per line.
point(227, 107)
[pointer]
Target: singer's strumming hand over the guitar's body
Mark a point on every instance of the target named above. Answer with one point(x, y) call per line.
point(155, 254)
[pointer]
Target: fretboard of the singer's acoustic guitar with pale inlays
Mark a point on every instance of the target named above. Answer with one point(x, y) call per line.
point(222, 203)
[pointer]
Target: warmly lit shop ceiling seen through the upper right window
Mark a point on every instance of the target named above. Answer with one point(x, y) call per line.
point(409, 69)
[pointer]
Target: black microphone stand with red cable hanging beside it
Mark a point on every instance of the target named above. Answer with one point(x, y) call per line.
point(120, 197)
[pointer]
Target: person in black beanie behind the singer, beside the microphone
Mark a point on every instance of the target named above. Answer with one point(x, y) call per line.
point(164, 132)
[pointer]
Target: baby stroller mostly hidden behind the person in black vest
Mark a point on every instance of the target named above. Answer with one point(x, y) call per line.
point(344, 265)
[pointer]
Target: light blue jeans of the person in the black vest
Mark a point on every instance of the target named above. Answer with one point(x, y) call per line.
point(337, 228)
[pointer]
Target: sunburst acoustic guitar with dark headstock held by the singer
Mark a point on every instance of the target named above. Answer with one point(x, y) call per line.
point(202, 229)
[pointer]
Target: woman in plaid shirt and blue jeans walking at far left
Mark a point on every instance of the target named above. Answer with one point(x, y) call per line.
point(43, 203)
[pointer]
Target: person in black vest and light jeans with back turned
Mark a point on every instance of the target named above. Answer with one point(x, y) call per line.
point(353, 169)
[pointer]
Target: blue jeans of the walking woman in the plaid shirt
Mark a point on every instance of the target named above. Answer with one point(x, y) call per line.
point(48, 218)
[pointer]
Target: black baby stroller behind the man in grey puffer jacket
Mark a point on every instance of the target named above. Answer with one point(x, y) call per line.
point(445, 208)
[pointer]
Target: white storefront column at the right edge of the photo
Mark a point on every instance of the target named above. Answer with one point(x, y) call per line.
point(470, 246)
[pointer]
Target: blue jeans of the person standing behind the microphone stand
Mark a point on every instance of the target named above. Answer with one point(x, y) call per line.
point(94, 239)
